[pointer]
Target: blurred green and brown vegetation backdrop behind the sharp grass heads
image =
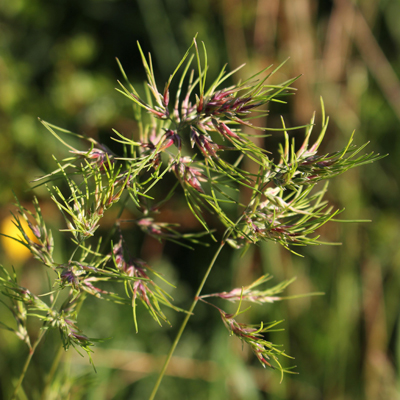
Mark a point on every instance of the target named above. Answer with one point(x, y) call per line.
point(57, 62)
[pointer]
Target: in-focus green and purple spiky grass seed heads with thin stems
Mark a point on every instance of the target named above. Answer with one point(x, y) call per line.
point(187, 141)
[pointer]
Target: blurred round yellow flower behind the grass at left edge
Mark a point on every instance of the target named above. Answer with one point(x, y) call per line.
point(15, 251)
